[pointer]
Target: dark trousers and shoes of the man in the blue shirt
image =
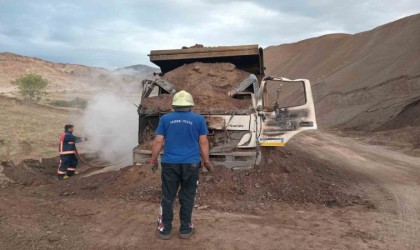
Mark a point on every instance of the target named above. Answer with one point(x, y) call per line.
point(173, 176)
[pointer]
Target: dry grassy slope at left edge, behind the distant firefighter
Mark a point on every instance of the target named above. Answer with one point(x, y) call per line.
point(27, 131)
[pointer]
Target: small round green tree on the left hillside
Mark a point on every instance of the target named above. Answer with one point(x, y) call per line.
point(31, 86)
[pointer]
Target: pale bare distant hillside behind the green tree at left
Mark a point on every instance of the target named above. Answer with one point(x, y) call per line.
point(68, 77)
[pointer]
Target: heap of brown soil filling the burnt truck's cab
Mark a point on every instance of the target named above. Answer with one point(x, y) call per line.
point(209, 83)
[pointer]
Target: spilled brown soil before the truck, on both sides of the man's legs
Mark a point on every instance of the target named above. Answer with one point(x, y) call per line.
point(284, 176)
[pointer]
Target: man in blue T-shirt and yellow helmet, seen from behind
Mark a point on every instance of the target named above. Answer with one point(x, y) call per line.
point(185, 136)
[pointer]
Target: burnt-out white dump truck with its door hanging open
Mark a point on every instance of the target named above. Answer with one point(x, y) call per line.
point(279, 108)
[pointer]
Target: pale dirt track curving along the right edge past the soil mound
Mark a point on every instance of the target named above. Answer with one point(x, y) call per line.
point(395, 185)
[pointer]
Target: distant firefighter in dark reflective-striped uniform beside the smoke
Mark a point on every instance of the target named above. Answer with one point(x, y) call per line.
point(68, 153)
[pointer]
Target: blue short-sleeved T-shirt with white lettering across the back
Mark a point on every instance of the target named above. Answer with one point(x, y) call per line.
point(181, 131)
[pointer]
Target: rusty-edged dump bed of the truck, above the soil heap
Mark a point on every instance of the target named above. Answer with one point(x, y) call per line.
point(246, 57)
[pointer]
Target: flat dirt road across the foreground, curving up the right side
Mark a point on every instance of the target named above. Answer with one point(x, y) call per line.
point(42, 217)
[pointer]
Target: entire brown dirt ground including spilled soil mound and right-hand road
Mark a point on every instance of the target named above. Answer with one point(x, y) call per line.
point(378, 188)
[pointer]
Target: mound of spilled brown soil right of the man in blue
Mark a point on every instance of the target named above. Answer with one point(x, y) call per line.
point(289, 176)
